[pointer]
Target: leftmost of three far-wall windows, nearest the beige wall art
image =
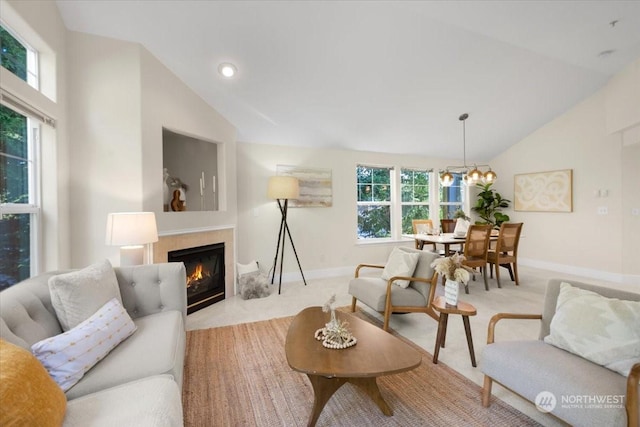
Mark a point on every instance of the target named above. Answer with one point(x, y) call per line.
point(374, 202)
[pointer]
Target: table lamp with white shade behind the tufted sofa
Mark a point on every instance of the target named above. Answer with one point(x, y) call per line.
point(131, 231)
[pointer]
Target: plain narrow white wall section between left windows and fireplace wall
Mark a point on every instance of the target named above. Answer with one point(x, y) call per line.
point(105, 135)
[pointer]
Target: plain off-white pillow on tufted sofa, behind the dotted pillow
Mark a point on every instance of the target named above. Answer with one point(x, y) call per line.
point(77, 295)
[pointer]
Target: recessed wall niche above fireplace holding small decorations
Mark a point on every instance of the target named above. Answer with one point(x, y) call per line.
point(190, 171)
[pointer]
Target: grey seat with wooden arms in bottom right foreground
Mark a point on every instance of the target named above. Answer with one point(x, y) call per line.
point(580, 392)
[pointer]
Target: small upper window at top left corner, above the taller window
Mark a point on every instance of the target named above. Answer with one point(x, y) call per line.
point(18, 57)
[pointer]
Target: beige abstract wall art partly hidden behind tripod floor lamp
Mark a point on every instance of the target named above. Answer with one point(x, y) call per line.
point(315, 186)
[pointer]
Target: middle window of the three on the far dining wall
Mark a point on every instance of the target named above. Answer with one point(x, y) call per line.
point(414, 188)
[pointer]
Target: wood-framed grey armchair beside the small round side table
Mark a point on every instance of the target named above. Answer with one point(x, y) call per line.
point(386, 294)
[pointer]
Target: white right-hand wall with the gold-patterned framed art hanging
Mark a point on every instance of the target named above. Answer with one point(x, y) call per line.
point(582, 242)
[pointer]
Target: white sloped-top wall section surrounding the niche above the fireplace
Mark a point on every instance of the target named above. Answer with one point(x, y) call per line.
point(169, 103)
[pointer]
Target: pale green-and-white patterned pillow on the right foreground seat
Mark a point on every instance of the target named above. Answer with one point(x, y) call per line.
point(603, 330)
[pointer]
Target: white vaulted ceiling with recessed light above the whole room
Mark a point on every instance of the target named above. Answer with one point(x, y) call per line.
point(387, 76)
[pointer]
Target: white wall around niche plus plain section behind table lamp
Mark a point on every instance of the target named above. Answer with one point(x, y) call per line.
point(120, 98)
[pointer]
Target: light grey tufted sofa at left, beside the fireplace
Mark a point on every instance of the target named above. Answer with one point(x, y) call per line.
point(140, 381)
